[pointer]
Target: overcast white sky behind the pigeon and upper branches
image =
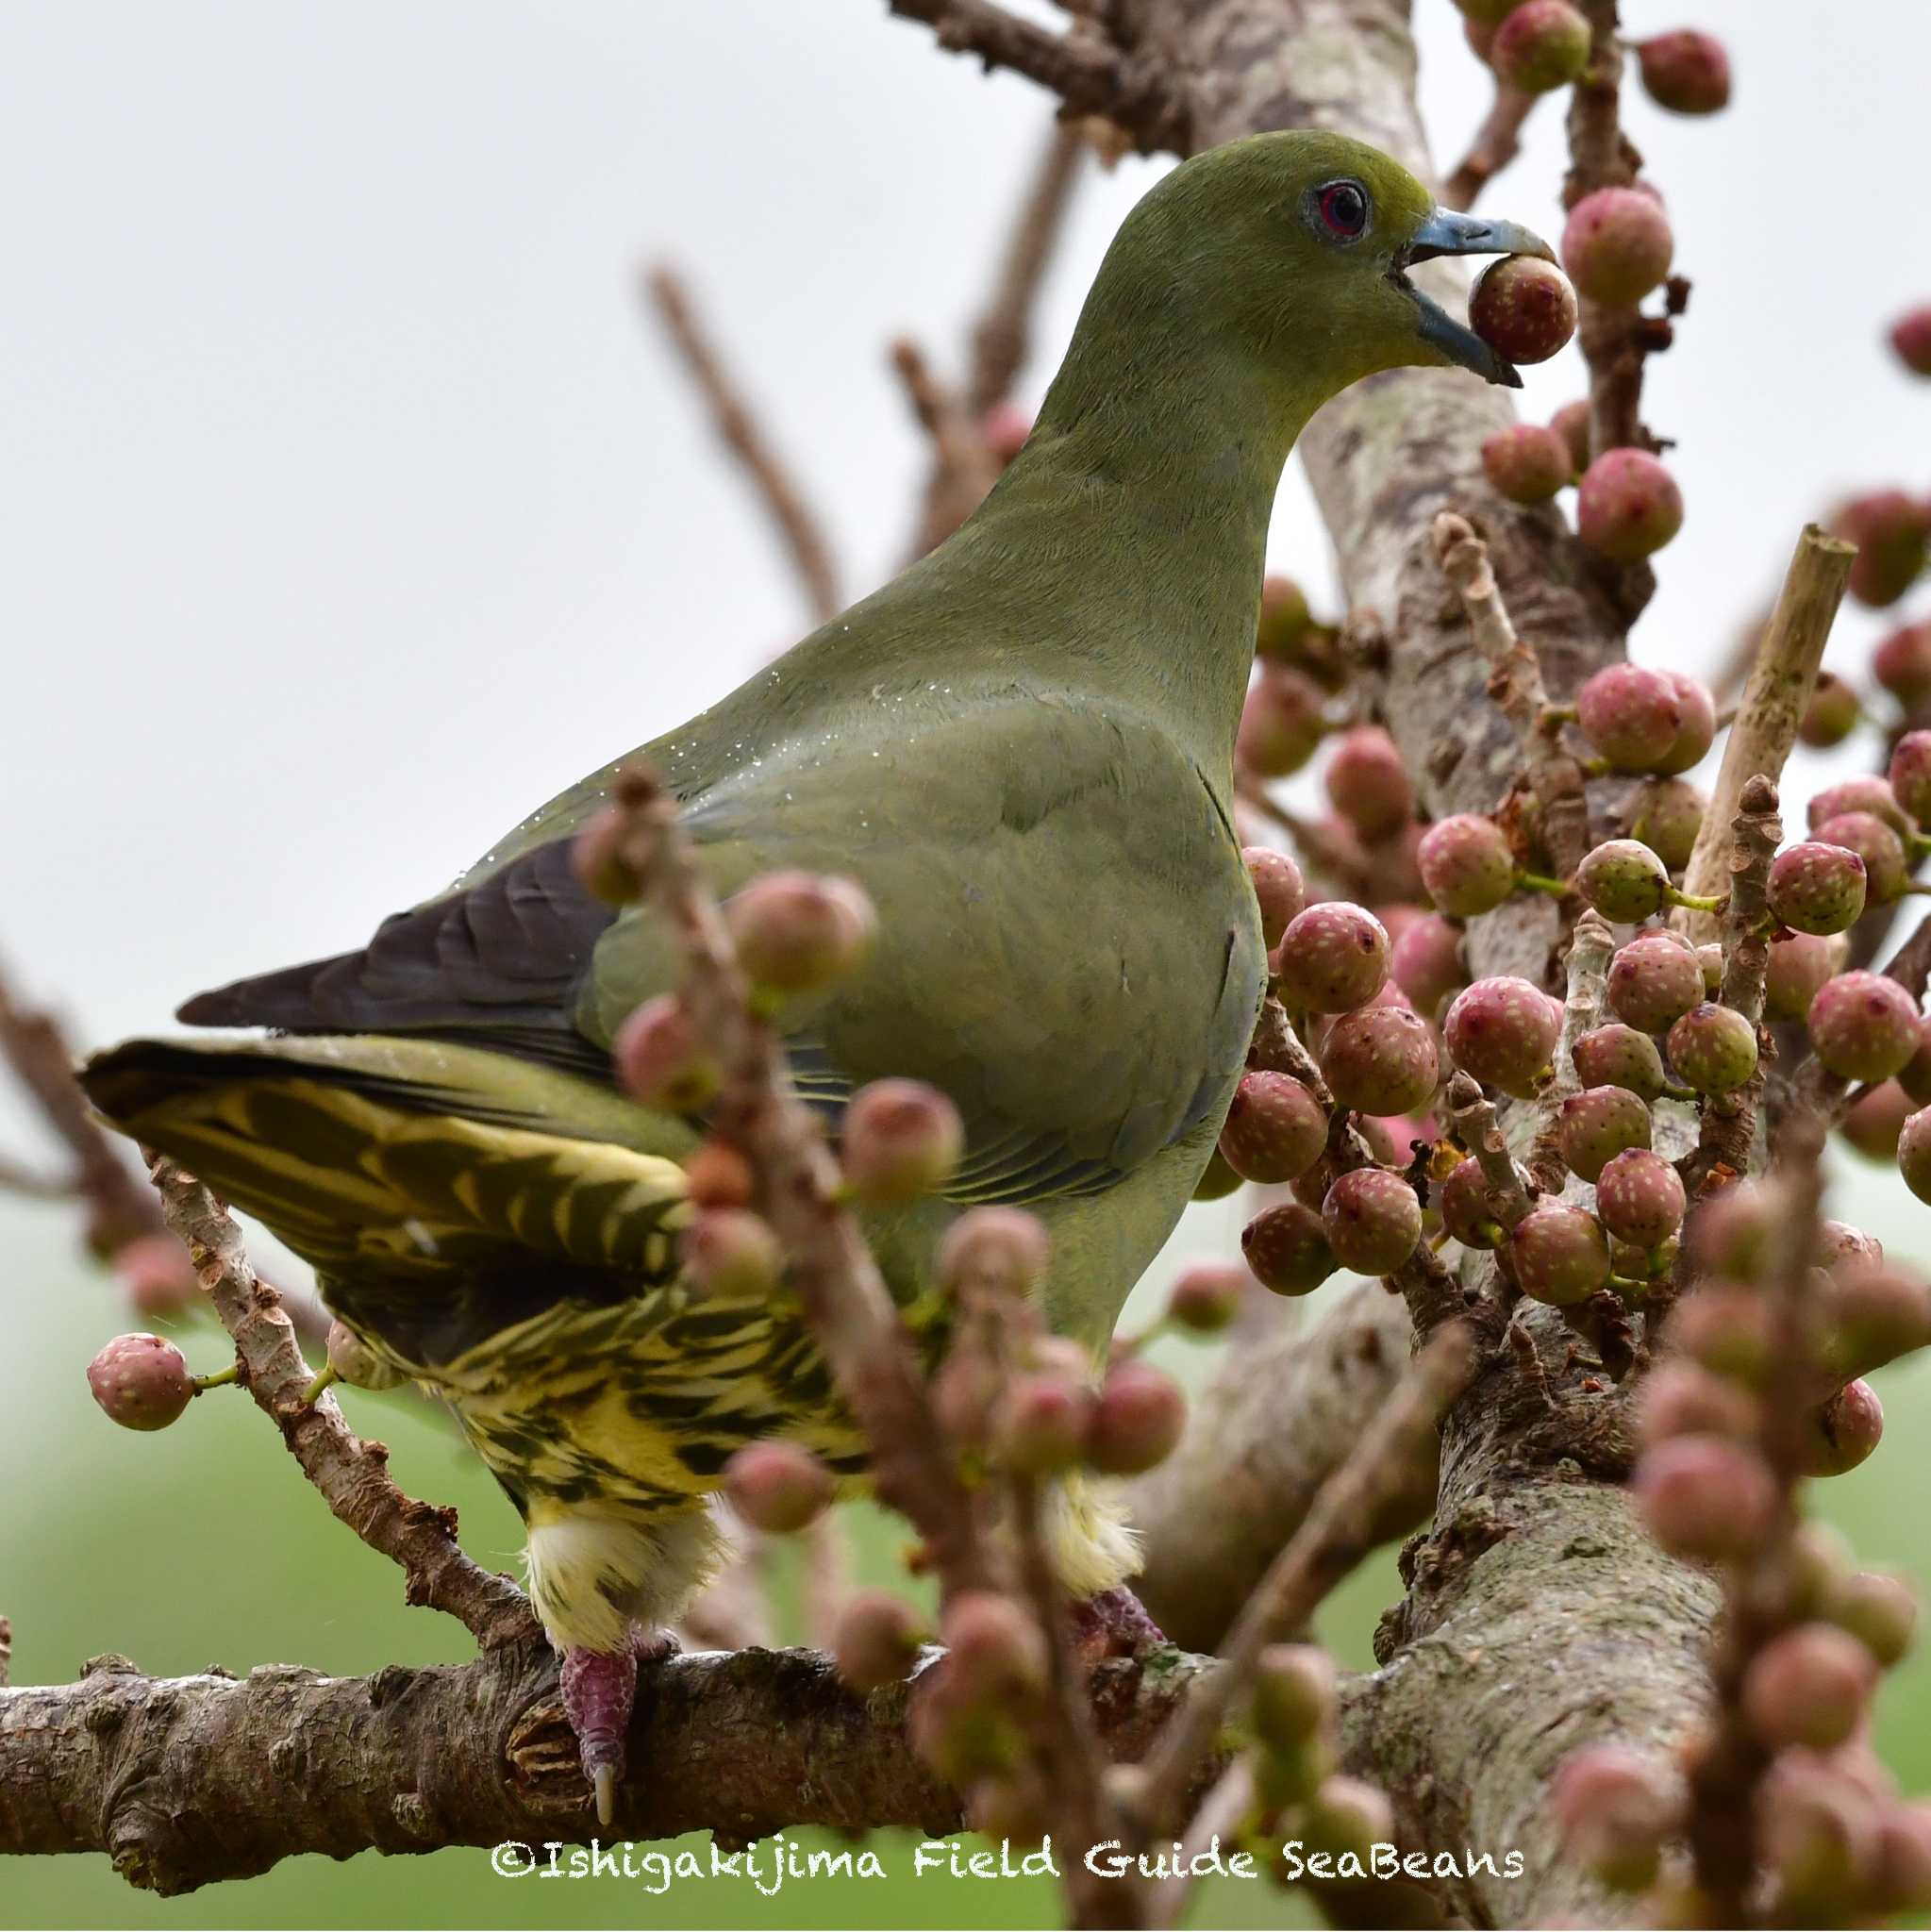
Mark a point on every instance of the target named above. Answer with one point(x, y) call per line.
point(349, 509)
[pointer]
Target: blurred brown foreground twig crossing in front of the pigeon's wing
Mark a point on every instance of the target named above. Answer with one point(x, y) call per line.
point(831, 1268)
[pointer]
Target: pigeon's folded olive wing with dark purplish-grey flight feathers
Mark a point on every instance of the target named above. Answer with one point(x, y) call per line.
point(1082, 1002)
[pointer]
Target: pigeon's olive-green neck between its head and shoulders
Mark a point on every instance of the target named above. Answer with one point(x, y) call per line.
point(1127, 542)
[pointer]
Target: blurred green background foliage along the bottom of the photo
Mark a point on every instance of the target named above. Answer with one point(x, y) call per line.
point(204, 1547)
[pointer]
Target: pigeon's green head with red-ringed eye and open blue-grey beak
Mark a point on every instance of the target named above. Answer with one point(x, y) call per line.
point(1291, 254)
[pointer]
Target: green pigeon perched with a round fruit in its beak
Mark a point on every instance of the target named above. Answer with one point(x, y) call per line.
point(1024, 751)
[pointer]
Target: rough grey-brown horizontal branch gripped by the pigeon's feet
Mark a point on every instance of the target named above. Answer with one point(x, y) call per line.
point(190, 1780)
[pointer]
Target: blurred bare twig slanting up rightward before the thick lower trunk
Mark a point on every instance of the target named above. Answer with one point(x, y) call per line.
point(1328, 1545)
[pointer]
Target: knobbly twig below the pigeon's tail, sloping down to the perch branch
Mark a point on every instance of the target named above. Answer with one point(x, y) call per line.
point(352, 1475)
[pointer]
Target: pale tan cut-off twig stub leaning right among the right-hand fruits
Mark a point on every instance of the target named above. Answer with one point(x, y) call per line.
point(1781, 681)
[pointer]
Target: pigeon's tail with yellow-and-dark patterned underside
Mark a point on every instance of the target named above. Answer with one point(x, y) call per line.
point(401, 1156)
